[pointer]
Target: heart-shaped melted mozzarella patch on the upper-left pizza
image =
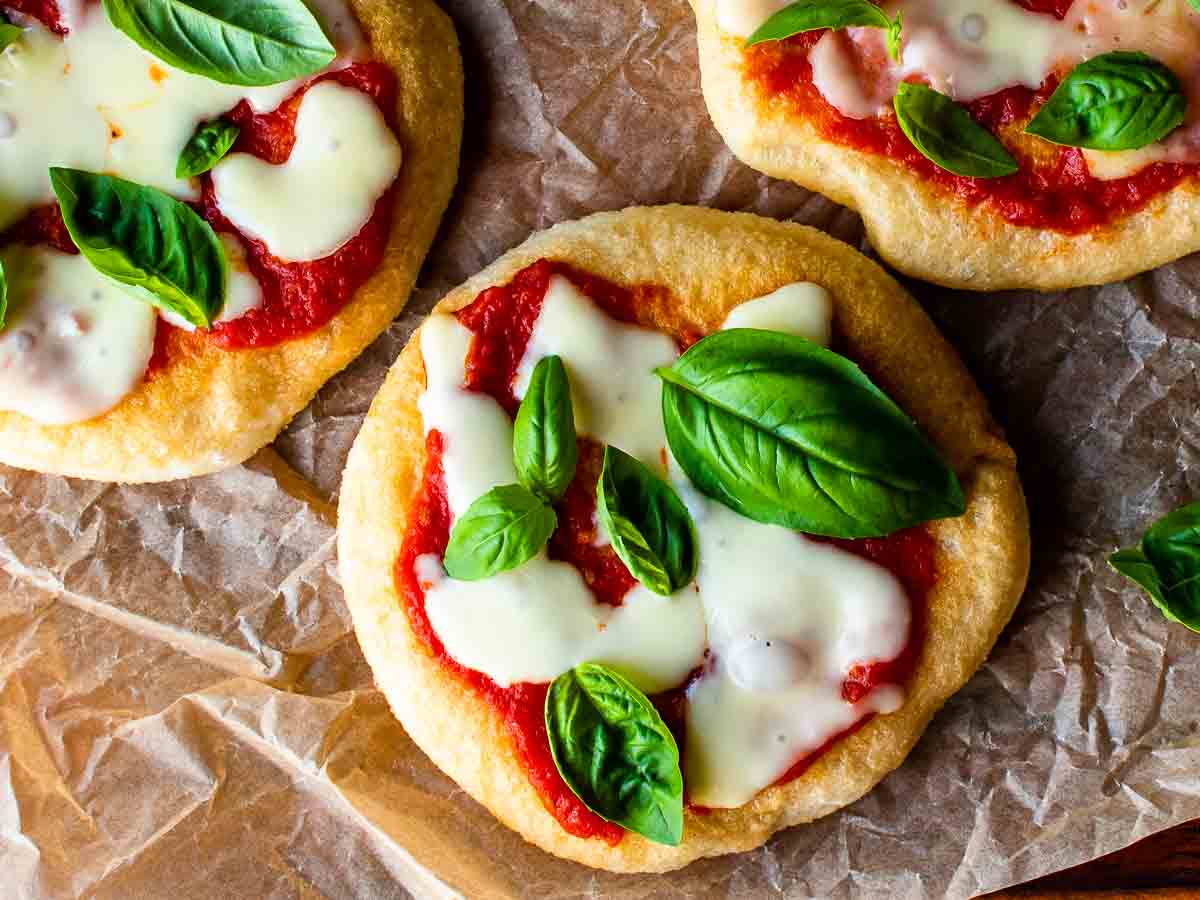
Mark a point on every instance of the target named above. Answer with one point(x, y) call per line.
point(345, 159)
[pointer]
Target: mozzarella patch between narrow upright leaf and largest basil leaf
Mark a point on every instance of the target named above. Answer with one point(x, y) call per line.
point(615, 393)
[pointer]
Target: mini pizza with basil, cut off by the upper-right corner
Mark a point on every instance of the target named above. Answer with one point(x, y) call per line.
point(988, 145)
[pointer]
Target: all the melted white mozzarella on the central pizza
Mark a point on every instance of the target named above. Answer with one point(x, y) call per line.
point(785, 619)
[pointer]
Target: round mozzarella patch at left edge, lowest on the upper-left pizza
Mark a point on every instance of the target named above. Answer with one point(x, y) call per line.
point(75, 345)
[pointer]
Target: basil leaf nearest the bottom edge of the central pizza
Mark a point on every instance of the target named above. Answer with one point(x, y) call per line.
point(615, 752)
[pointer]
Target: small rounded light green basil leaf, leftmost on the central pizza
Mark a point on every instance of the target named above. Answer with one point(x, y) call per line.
point(503, 530)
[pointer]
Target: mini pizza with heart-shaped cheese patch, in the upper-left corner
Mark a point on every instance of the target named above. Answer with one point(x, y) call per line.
point(207, 212)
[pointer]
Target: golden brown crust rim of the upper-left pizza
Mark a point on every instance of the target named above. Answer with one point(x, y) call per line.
point(215, 409)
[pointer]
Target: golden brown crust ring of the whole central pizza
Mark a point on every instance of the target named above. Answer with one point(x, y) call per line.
point(711, 262)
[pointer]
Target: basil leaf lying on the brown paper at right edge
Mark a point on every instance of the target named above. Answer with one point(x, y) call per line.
point(1167, 565)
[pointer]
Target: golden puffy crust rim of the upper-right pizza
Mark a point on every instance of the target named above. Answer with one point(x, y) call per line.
point(916, 225)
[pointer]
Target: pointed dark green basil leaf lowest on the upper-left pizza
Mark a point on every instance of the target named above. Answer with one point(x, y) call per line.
point(147, 241)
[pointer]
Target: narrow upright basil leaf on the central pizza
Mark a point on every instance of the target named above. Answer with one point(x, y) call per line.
point(544, 437)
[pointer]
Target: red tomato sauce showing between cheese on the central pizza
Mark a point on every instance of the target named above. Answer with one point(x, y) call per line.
point(503, 321)
